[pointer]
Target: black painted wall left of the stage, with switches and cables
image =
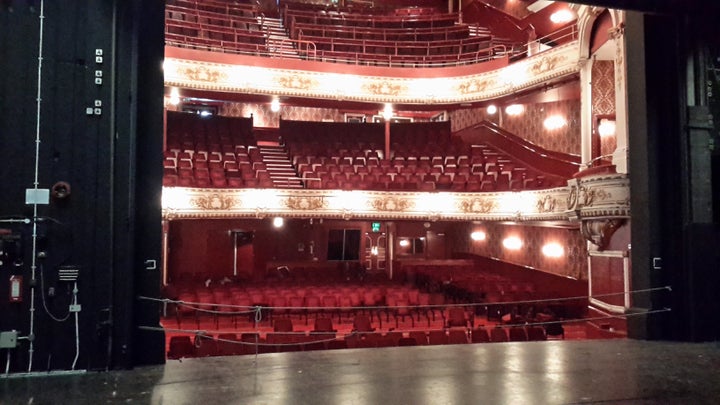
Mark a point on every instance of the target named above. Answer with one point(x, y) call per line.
point(109, 223)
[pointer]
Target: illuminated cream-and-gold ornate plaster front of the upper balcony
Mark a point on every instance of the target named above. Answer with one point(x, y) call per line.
point(445, 87)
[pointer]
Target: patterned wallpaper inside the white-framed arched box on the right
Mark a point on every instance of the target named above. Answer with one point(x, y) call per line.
point(603, 98)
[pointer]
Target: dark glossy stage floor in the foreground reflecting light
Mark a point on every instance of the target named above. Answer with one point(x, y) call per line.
point(548, 372)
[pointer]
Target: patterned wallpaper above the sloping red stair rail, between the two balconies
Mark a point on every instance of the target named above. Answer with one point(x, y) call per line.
point(529, 125)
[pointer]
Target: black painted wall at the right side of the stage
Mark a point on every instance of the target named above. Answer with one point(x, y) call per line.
point(669, 150)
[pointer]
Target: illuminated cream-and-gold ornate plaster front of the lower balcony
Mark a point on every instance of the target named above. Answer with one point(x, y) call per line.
point(521, 206)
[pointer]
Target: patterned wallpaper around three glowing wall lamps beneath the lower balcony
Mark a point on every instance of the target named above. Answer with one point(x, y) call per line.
point(572, 264)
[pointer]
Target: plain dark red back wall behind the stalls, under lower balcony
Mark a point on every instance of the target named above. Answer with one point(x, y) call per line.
point(203, 248)
